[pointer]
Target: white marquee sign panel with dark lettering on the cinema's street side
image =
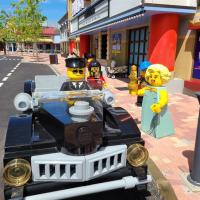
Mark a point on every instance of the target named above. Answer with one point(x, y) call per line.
point(101, 12)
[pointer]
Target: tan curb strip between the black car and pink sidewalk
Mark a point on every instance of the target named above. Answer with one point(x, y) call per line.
point(164, 187)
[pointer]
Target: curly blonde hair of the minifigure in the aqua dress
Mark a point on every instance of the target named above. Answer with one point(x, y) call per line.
point(161, 69)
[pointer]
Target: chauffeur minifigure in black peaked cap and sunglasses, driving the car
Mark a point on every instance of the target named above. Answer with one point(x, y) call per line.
point(76, 73)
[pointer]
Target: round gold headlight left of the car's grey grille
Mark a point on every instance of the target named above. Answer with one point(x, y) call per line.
point(17, 172)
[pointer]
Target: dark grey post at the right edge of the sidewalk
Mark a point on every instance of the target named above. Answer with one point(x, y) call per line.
point(194, 176)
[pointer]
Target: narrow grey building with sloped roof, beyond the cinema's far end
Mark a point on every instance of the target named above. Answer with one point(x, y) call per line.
point(64, 33)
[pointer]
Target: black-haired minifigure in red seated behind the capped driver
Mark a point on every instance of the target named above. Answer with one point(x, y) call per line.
point(95, 77)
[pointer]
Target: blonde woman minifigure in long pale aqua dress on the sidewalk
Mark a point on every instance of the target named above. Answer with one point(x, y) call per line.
point(156, 118)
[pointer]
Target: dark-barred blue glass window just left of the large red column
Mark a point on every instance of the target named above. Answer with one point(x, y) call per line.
point(138, 45)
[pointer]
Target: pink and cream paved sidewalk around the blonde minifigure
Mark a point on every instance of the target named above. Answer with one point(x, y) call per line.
point(173, 155)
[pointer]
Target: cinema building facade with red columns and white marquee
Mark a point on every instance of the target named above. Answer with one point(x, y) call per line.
point(130, 32)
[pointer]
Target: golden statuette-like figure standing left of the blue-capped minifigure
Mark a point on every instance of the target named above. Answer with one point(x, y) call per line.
point(133, 84)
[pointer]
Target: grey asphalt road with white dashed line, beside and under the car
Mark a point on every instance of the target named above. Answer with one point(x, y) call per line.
point(13, 73)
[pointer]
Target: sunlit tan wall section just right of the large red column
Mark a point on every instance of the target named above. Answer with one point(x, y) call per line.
point(185, 50)
